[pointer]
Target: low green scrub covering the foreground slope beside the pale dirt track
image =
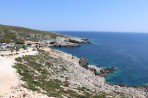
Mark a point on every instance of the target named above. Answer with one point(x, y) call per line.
point(36, 73)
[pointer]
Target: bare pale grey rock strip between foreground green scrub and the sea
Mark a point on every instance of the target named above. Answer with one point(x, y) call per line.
point(81, 77)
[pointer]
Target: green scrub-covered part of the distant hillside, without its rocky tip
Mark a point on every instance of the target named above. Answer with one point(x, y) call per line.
point(13, 33)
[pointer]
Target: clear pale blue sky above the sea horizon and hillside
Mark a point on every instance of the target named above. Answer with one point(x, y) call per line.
point(76, 15)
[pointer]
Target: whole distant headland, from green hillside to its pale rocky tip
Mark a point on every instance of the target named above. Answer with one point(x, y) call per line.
point(18, 35)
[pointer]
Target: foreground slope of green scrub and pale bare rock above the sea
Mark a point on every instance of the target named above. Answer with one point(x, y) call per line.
point(56, 73)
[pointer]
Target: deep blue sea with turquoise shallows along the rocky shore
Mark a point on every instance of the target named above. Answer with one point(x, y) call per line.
point(128, 52)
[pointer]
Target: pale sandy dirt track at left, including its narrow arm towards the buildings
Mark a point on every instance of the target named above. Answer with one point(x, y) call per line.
point(8, 75)
